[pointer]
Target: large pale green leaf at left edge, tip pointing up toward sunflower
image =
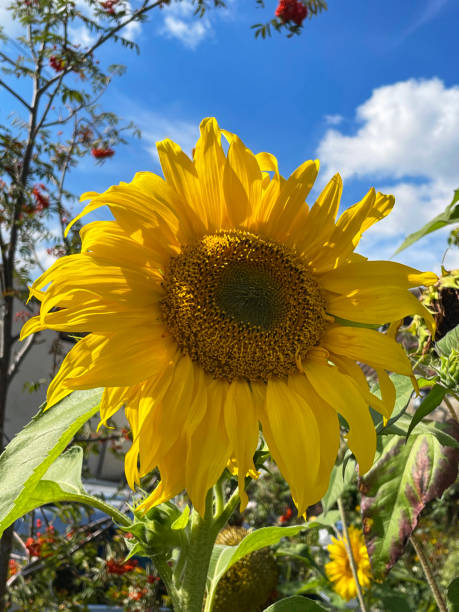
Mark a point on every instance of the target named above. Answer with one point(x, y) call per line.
point(28, 457)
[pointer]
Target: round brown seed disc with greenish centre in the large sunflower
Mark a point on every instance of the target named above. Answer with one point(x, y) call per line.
point(242, 307)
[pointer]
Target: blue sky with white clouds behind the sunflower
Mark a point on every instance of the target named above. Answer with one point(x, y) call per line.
point(371, 88)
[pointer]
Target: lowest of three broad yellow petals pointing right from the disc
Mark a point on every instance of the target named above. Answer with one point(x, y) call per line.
point(367, 345)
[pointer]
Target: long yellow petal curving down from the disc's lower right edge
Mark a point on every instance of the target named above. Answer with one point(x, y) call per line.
point(343, 395)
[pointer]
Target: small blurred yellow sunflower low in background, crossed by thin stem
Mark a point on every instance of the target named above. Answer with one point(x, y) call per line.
point(339, 570)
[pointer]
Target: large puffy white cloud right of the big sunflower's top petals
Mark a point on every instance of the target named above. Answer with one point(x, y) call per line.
point(407, 143)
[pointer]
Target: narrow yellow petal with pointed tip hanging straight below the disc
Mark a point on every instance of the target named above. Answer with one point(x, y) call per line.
point(239, 409)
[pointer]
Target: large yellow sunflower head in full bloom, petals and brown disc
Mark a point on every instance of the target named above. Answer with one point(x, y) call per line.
point(217, 300)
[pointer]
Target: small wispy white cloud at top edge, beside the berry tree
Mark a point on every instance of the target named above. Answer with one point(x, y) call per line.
point(181, 23)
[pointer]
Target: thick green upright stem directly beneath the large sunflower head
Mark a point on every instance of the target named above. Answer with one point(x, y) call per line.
point(203, 535)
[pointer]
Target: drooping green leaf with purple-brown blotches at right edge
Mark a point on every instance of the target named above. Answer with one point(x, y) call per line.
point(396, 489)
